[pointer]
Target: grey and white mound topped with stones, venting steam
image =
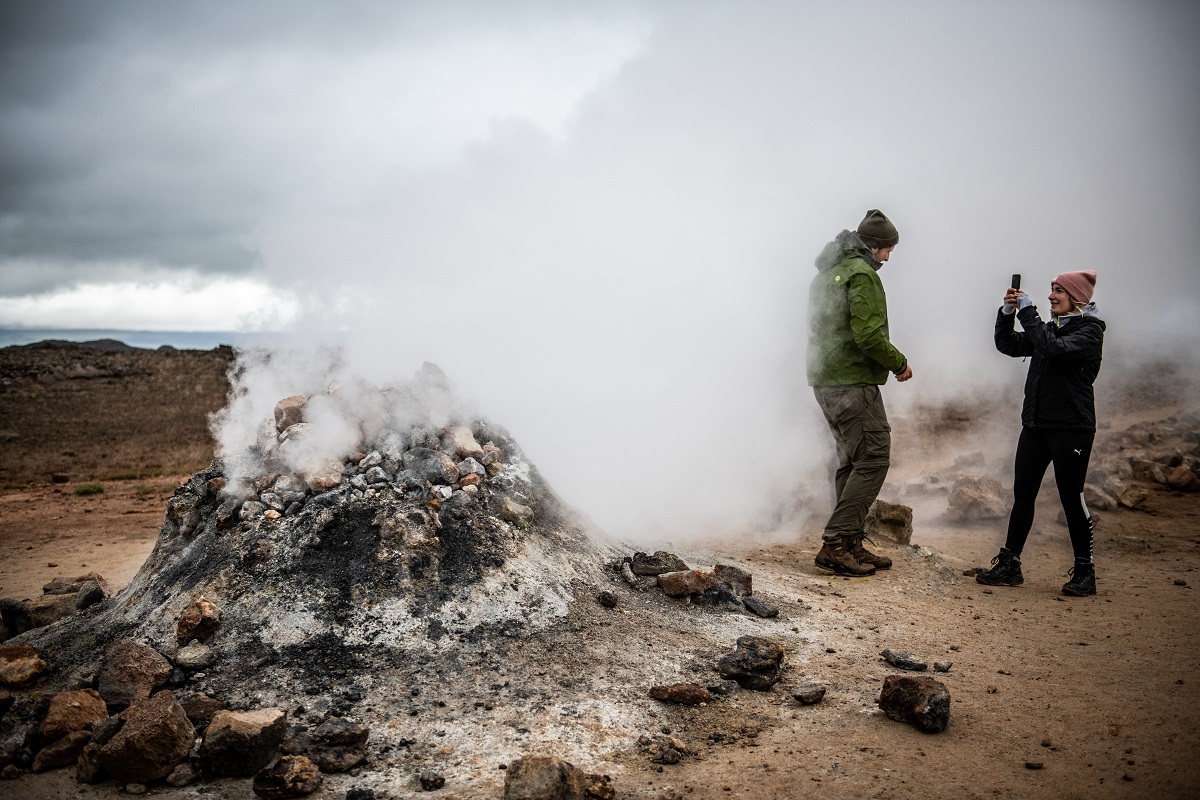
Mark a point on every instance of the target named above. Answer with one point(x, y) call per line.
point(358, 562)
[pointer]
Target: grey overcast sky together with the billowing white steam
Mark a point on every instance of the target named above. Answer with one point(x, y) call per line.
point(580, 208)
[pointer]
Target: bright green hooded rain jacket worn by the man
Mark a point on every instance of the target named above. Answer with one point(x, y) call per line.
point(849, 341)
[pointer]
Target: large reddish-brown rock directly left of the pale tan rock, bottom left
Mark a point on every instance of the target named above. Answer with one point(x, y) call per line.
point(157, 737)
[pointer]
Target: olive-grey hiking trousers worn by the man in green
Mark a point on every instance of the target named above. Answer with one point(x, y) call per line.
point(863, 440)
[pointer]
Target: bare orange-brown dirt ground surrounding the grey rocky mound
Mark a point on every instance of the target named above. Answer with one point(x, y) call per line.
point(1100, 691)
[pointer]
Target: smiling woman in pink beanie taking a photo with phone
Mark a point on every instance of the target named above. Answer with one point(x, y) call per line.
point(1058, 419)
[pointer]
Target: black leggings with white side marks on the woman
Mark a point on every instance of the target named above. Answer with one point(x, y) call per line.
point(1070, 452)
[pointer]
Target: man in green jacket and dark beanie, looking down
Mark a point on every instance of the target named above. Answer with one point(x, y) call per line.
point(849, 358)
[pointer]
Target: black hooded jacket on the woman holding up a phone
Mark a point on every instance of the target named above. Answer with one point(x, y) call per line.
point(1066, 362)
